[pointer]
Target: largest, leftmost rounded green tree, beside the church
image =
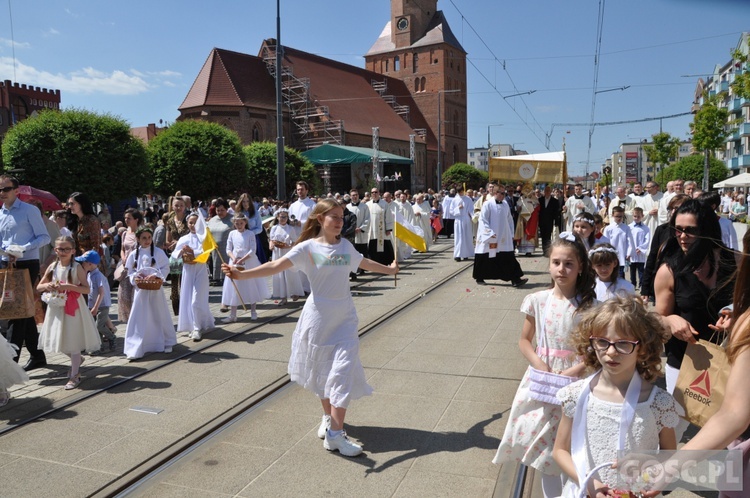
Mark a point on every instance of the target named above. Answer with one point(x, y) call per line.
point(78, 150)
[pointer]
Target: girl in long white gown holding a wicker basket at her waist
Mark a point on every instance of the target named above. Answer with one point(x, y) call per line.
point(150, 328)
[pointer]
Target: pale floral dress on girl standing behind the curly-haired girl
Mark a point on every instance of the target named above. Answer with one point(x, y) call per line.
point(532, 425)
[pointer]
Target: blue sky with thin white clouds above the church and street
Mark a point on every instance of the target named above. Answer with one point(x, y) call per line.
point(137, 59)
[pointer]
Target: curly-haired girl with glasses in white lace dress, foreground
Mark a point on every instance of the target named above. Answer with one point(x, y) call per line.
point(618, 407)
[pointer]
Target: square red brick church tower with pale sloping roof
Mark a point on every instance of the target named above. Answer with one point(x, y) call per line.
point(418, 47)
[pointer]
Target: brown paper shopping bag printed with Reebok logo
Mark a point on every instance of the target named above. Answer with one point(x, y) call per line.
point(702, 381)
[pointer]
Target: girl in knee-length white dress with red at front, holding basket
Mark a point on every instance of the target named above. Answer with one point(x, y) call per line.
point(68, 326)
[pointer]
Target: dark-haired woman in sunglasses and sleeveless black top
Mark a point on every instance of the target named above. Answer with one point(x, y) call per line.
point(694, 281)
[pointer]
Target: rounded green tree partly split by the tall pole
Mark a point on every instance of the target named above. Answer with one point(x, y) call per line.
point(261, 169)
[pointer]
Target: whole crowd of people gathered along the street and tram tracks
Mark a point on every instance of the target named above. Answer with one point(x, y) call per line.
point(611, 257)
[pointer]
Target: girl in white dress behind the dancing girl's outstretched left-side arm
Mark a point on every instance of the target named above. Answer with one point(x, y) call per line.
point(241, 250)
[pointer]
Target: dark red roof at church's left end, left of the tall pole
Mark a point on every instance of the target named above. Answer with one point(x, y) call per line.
point(232, 79)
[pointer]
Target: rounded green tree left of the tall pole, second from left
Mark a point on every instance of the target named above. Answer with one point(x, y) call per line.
point(199, 158)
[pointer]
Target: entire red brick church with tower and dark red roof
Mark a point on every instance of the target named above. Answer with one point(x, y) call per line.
point(415, 62)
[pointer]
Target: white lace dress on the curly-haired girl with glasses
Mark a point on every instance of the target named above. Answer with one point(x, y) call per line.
point(603, 425)
